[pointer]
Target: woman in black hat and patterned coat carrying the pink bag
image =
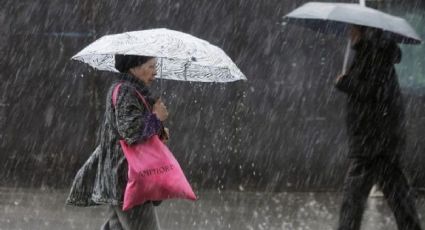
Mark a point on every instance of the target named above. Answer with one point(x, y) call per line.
point(103, 178)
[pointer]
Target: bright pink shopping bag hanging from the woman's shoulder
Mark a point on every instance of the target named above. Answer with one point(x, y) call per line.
point(153, 172)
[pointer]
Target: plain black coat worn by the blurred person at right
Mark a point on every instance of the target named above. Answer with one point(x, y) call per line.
point(375, 113)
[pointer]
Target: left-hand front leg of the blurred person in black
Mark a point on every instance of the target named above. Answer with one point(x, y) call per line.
point(357, 185)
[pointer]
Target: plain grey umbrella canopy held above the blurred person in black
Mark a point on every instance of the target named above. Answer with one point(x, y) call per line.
point(335, 17)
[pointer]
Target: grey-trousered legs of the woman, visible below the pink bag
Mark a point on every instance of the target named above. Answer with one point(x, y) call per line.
point(142, 217)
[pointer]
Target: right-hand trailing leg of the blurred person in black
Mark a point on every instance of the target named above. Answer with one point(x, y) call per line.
point(399, 196)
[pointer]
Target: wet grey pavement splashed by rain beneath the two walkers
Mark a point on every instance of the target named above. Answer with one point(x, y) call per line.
point(45, 209)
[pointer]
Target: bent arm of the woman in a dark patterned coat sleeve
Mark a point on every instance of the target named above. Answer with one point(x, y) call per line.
point(133, 120)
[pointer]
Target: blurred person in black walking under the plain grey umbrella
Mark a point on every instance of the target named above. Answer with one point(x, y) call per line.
point(375, 125)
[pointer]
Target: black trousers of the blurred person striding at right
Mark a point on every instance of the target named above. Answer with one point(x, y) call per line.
point(363, 173)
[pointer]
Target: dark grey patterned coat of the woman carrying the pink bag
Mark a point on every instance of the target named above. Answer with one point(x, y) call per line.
point(103, 177)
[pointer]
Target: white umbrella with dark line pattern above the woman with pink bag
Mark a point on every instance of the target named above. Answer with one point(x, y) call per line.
point(180, 56)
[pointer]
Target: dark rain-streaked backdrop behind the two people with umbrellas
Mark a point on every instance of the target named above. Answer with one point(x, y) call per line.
point(283, 129)
